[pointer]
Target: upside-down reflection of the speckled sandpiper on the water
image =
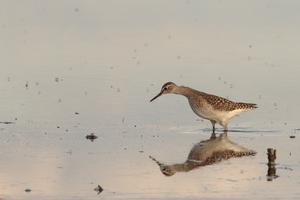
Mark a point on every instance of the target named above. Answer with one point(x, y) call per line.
point(206, 152)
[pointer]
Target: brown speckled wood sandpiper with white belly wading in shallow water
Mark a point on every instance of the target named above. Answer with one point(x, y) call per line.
point(214, 108)
